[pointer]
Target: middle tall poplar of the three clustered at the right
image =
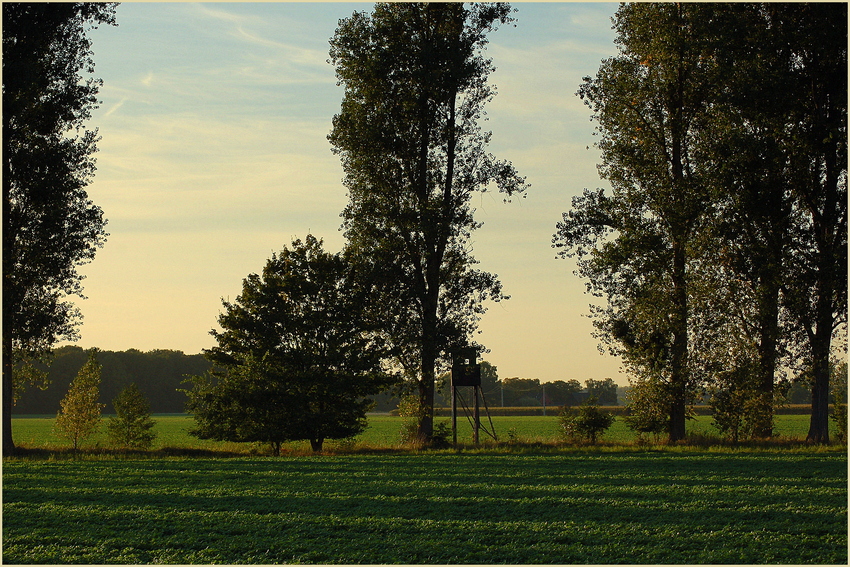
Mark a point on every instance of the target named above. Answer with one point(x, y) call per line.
point(748, 242)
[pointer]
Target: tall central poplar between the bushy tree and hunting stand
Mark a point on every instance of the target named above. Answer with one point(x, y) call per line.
point(415, 79)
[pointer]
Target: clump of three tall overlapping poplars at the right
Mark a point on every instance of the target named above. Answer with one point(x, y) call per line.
point(723, 135)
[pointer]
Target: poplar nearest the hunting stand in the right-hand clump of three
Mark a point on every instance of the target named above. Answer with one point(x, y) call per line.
point(637, 246)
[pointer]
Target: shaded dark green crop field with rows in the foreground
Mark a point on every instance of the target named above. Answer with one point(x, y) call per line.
point(582, 507)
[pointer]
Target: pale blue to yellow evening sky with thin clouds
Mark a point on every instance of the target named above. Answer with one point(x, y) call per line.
point(214, 155)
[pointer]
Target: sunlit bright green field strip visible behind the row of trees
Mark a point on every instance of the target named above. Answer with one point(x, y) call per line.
point(383, 431)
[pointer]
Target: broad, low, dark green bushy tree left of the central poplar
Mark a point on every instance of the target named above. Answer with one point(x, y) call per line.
point(297, 356)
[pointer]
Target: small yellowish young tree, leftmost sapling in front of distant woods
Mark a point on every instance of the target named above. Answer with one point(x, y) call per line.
point(79, 414)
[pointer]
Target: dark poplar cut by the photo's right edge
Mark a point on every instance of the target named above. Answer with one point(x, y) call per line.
point(815, 67)
